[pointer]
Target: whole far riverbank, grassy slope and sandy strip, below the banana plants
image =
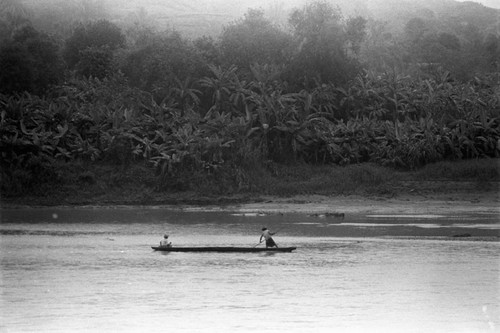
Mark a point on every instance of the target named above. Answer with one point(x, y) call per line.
point(442, 188)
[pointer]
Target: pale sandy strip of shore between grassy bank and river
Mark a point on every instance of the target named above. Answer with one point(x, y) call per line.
point(450, 203)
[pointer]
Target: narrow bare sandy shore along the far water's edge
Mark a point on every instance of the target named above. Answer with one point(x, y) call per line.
point(460, 198)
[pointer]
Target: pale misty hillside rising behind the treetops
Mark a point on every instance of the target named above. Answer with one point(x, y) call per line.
point(208, 17)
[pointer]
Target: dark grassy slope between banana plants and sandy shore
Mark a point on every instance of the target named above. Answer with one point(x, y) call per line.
point(104, 184)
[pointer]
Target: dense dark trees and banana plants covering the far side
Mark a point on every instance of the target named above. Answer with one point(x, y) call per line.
point(221, 113)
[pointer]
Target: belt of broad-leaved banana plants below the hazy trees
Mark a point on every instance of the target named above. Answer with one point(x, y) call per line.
point(106, 120)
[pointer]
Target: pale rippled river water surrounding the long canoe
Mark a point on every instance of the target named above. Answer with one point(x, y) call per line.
point(93, 270)
